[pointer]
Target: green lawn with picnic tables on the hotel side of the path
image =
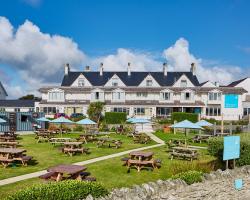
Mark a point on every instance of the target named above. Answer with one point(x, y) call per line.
point(47, 155)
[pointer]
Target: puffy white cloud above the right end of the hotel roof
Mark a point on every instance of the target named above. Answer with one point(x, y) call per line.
point(179, 59)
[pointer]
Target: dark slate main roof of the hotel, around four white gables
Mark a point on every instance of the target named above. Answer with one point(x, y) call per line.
point(134, 80)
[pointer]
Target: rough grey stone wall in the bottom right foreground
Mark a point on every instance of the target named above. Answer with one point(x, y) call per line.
point(218, 185)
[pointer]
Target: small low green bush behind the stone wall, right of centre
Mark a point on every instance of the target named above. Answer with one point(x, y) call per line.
point(189, 177)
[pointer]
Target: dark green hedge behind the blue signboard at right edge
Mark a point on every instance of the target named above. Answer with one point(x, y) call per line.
point(215, 148)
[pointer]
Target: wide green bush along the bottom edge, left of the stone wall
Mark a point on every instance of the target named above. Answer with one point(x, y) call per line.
point(65, 190)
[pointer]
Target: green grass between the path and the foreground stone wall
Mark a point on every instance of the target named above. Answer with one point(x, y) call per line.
point(113, 175)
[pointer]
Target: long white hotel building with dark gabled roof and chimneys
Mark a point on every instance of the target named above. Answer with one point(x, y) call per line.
point(144, 94)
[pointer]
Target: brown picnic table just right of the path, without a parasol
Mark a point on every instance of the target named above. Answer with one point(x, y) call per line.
point(139, 160)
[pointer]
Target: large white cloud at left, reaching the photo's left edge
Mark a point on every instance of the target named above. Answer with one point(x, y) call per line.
point(38, 57)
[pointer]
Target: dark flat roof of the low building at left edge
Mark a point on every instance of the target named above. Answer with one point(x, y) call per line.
point(17, 103)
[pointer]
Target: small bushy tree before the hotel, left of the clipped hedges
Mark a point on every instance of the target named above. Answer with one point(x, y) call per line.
point(95, 111)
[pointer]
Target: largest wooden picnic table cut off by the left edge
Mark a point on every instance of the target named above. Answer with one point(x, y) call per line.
point(9, 155)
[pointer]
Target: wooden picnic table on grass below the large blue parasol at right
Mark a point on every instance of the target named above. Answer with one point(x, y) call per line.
point(184, 153)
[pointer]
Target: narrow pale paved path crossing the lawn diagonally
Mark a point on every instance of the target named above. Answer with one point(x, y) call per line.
point(86, 162)
